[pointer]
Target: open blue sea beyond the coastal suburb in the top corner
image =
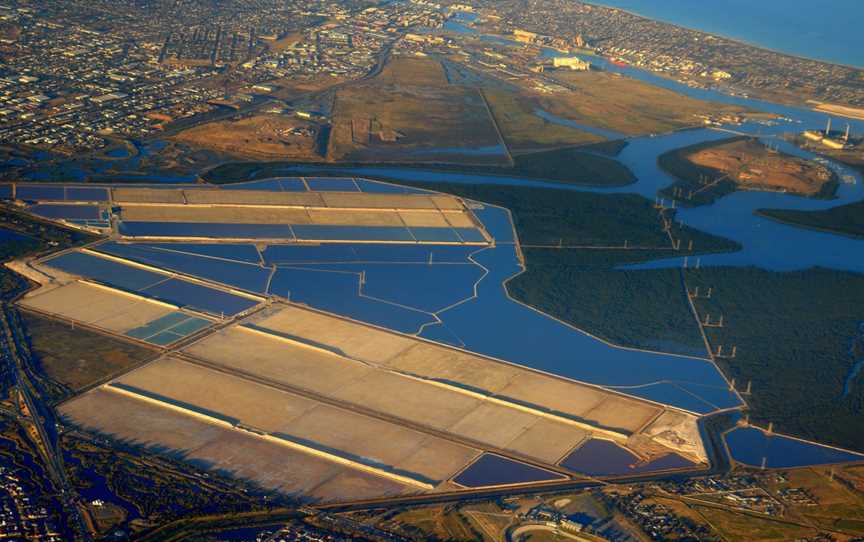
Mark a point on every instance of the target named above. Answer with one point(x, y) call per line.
point(829, 31)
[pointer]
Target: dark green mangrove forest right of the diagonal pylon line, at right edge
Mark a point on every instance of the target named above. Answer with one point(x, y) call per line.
point(798, 338)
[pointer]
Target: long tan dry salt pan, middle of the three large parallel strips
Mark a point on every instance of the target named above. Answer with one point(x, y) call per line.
point(416, 401)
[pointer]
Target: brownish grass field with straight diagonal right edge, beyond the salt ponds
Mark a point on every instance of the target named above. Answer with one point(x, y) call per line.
point(409, 113)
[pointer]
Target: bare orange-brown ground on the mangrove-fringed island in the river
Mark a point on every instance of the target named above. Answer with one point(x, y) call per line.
point(753, 166)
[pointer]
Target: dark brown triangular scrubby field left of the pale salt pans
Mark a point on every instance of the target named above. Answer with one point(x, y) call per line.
point(74, 358)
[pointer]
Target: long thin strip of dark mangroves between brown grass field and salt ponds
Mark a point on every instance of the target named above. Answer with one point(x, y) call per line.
point(574, 165)
